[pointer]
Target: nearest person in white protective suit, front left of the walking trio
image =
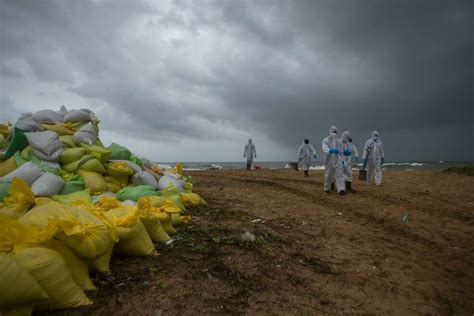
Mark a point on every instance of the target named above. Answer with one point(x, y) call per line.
point(333, 170)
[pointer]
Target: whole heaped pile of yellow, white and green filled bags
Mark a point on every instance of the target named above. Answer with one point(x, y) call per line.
point(67, 204)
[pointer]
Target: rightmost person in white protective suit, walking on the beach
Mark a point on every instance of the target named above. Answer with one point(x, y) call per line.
point(374, 158)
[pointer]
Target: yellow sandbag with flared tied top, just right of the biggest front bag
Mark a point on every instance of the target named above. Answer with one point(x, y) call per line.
point(133, 237)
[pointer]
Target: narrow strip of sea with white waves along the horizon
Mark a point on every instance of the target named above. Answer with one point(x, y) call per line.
point(276, 165)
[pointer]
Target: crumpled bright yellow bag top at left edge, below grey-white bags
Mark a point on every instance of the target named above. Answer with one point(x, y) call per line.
point(20, 200)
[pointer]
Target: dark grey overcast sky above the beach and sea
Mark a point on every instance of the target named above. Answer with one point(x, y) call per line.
point(193, 80)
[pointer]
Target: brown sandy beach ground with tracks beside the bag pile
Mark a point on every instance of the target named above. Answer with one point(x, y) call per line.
point(314, 253)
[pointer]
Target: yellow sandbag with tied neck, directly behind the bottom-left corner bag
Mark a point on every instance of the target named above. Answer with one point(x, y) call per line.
point(47, 267)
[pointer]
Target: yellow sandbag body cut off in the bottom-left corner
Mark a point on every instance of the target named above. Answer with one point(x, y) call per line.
point(17, 286)
